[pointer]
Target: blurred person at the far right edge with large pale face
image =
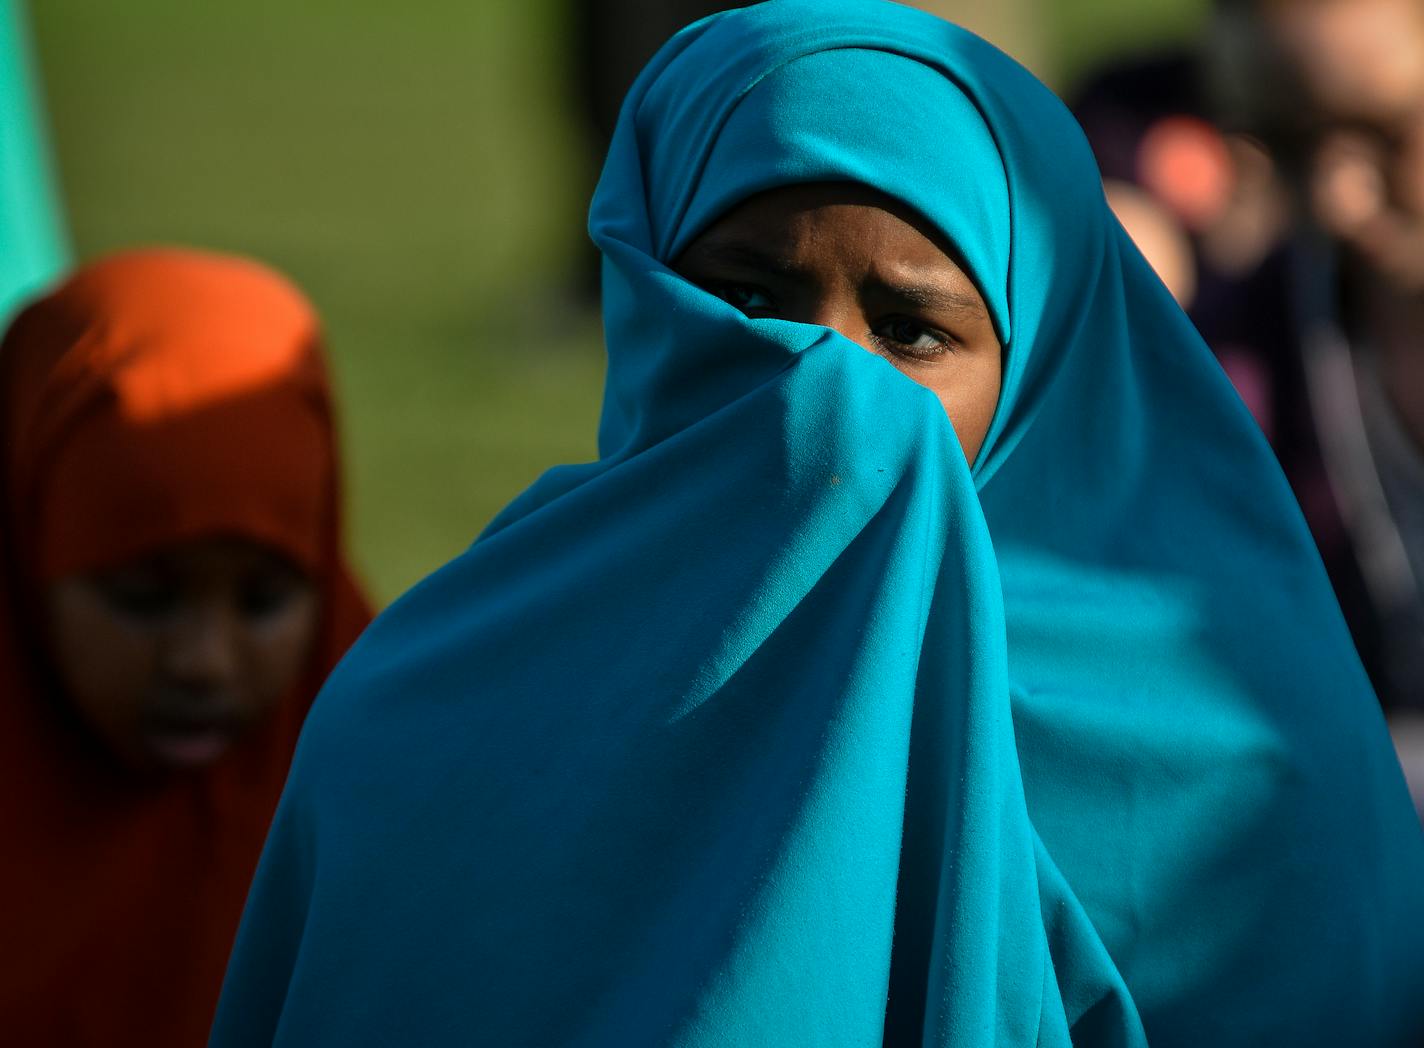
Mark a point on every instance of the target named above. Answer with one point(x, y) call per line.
point(1344, 106)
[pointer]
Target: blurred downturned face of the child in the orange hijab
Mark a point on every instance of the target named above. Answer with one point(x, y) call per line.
point(172, 659)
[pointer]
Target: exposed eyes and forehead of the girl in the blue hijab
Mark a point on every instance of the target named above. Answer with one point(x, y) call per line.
point(849, 258)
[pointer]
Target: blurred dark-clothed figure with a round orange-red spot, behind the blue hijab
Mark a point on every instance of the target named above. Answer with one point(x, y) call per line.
point(1211, 209)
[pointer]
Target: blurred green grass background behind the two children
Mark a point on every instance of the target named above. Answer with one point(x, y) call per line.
point(421, 172)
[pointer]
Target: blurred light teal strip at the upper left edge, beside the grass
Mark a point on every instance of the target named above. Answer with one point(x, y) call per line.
point(33, 248)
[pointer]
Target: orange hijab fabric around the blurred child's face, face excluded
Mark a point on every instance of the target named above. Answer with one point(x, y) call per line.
point(155, 398)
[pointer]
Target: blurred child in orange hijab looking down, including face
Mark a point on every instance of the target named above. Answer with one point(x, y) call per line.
point(173, 597)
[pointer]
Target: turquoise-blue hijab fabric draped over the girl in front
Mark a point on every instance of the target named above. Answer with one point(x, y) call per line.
point(782, 725)
